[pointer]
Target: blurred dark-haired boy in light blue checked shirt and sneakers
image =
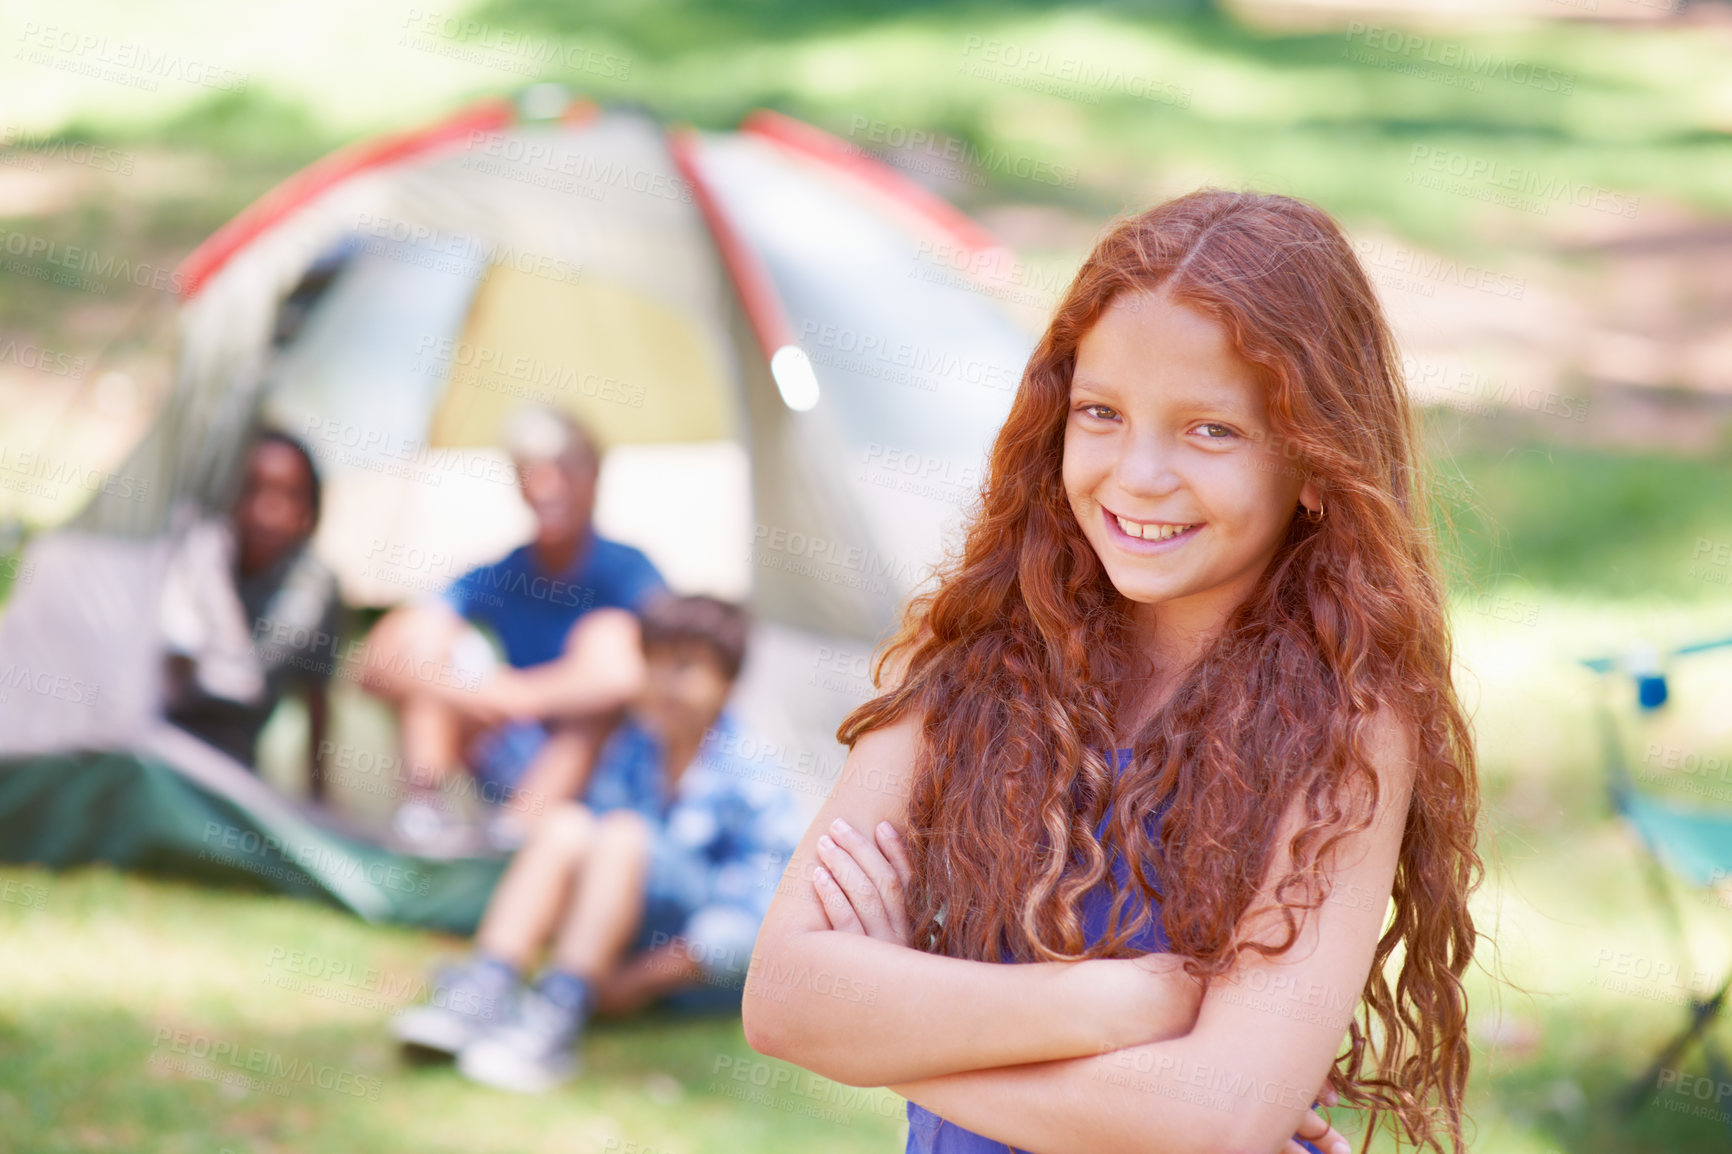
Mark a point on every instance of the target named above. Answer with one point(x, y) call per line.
point(657, 885)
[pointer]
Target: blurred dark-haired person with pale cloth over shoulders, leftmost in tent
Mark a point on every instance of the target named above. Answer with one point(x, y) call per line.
point(249, 613)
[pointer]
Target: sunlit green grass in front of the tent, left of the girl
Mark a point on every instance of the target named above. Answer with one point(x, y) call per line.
point(107, 978)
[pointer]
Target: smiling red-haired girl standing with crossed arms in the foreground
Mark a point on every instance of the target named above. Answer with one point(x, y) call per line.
point(1175, 734)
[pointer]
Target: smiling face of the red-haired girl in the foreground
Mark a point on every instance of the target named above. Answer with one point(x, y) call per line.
point(1168, 431)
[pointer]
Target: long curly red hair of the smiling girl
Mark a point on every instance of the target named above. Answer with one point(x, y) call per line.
point(1018, 652)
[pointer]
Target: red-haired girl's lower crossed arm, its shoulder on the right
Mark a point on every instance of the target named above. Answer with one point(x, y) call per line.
point(1267, 1034)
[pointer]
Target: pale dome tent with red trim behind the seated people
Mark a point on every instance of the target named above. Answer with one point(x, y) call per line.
point(810, 325)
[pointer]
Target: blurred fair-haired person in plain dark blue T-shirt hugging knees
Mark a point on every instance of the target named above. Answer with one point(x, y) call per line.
point(562, 609)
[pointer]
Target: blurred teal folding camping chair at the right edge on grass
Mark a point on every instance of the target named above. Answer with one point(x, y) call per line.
point(1684, 843)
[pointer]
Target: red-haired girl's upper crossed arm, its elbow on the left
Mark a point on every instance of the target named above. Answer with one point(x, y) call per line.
point(863, 1009)
